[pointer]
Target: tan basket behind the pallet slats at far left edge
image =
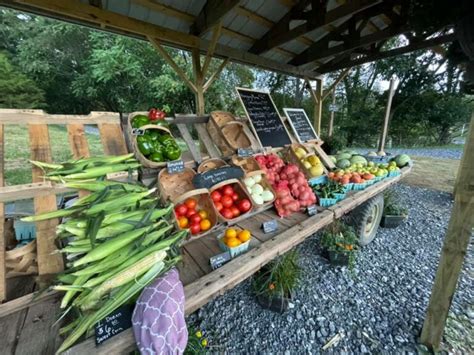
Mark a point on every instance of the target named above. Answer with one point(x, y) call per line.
point(21, 261)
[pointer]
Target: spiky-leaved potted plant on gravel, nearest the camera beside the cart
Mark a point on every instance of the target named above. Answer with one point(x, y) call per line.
point(275, 282)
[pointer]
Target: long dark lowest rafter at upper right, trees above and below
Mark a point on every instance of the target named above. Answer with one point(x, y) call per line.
point(432, 42)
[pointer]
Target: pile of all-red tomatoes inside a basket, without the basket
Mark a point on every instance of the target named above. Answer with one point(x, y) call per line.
point(228, 202)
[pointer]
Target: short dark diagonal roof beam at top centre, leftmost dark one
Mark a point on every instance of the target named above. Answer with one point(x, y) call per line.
point(212, 13)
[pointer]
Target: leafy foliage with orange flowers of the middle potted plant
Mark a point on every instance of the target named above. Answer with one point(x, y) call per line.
point(340, 238)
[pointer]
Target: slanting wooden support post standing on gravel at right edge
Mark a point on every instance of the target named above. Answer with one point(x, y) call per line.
point(455, 245)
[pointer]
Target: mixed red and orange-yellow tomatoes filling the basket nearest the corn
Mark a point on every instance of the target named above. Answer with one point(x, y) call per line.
point(189, 216)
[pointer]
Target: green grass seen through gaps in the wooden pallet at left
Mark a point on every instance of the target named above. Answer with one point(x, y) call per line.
point(17, 150)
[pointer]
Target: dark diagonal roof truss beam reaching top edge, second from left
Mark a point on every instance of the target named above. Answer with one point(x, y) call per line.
point(317, 17)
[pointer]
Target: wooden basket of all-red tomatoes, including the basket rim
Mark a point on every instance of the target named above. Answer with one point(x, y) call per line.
point(231, 200)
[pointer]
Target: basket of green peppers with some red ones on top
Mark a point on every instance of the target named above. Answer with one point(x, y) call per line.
point(152, 141)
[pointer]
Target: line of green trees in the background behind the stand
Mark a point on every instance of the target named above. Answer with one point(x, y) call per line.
point(66, 68)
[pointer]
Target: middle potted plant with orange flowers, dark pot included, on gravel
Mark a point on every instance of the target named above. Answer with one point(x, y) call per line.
point(339, 243)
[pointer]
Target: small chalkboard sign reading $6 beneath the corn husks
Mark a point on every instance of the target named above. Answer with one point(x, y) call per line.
point(115, 323)
